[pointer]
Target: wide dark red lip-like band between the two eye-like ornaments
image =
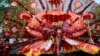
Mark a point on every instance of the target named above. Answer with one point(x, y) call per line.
point(56, 18)
